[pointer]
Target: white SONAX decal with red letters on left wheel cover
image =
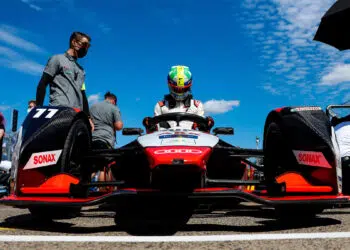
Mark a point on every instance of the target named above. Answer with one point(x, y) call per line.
point(43, 159)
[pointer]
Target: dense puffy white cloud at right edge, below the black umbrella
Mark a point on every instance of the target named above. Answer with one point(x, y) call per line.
point(339, 74)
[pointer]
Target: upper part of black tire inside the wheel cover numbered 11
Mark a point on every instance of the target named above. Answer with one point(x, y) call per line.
point(77, 144)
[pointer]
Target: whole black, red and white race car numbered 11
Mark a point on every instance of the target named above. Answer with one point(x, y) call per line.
point(166, 173)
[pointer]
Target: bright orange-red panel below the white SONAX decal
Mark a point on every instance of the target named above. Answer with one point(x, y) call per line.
point(58, 184)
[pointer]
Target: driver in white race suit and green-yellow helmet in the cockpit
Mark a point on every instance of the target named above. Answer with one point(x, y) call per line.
point(180, 98)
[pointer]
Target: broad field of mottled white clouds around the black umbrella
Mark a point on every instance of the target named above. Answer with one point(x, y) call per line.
point(287, 49)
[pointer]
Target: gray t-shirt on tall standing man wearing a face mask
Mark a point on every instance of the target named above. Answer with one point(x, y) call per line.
point(68, 81)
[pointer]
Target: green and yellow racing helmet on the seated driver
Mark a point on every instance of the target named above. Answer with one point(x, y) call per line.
point(180, 82)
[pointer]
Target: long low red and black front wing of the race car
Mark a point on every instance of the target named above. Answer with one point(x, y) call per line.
point(209, 195)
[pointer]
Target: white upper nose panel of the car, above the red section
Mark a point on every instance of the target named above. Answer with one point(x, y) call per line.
point(178, 137)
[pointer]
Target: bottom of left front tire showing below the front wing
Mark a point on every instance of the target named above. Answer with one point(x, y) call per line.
point(52, 213)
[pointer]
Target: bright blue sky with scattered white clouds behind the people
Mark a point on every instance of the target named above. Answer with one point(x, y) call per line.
point(246, 56)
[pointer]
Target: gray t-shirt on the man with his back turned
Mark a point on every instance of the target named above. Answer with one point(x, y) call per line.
point(104, 115)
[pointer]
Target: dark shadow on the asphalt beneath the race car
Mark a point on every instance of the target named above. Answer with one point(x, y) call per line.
point(269, 223)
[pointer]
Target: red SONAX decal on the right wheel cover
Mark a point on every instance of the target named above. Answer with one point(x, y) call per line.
point(311, 158)
